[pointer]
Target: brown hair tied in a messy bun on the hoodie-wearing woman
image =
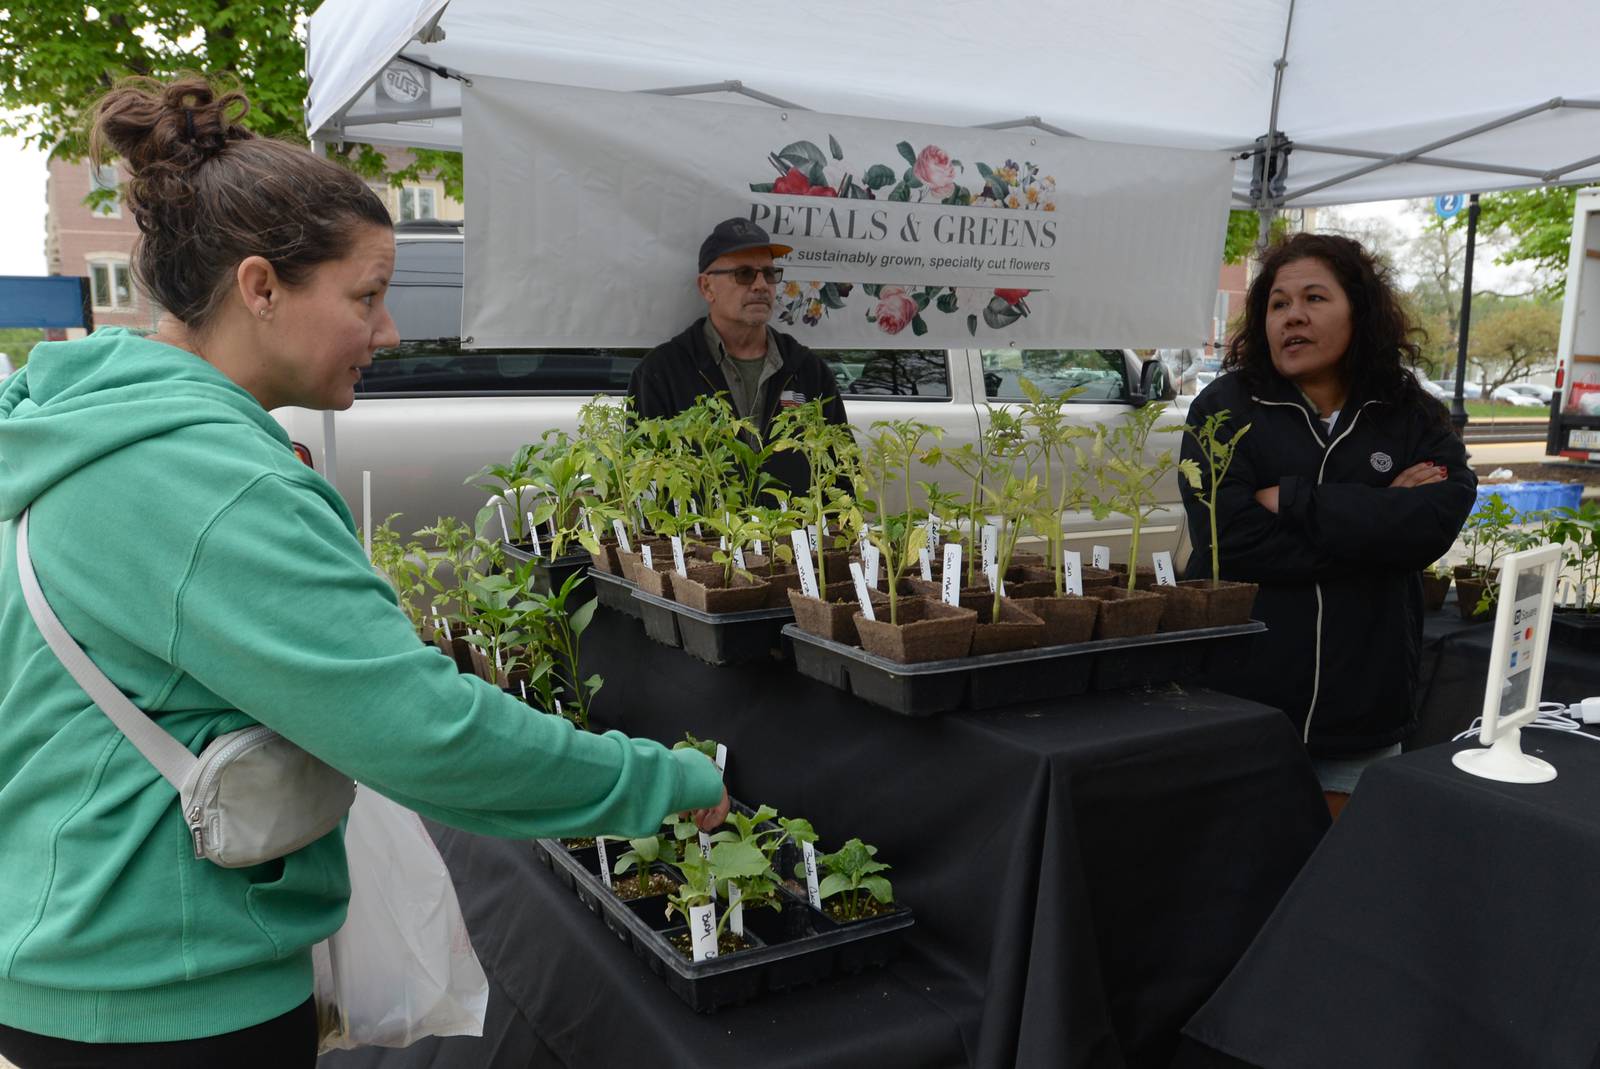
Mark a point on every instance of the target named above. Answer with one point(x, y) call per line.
point(207, 194)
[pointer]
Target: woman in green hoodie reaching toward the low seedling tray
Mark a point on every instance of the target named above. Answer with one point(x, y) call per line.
point(220, 583)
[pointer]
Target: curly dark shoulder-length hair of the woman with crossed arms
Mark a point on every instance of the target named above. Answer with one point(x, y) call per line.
point(1383, 338)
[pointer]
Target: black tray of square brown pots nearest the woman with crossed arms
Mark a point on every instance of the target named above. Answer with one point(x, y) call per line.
point(1007, 679)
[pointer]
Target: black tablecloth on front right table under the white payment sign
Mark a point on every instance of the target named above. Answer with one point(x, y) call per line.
point(1442, 923)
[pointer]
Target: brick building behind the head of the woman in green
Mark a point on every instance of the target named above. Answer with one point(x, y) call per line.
point(97, 242)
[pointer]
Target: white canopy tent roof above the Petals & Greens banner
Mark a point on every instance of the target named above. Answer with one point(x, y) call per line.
point(1358, 100)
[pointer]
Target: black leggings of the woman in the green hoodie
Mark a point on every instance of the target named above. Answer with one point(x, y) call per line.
point(284, 1043)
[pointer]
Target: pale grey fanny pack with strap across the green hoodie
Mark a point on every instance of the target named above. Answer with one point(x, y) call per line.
point(252, 796)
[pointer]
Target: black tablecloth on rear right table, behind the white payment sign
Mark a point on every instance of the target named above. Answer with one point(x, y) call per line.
point(1455, 670)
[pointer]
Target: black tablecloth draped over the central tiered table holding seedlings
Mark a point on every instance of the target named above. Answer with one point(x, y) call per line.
point(1084, 875)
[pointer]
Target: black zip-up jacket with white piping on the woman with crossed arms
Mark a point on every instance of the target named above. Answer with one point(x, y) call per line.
point(1340, 563)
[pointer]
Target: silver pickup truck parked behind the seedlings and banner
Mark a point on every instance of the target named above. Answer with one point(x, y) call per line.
point(428, 415)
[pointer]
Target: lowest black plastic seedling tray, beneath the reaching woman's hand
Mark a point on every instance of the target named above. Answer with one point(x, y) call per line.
point(793, 948)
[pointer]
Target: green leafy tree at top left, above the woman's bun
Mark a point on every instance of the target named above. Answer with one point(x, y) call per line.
point(60, 55)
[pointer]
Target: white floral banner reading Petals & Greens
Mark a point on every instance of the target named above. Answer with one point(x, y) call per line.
point(588, 209)
